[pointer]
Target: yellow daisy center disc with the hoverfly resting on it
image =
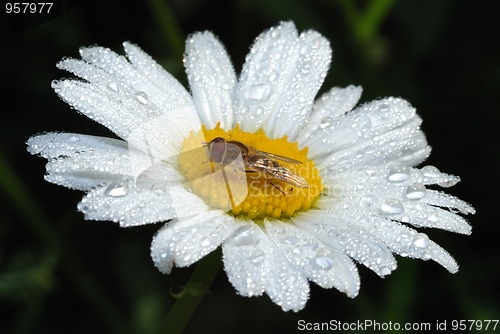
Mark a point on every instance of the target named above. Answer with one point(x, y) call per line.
point(249, 174)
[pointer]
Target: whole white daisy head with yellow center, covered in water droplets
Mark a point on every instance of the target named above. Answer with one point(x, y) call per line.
point(355, 196)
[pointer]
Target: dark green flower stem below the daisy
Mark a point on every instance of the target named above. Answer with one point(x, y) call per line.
point(195, 289)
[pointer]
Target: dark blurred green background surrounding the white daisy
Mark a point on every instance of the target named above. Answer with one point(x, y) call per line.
point(61, 274)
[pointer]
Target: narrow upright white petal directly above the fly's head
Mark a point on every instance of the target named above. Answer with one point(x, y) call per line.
point(212, 79)
